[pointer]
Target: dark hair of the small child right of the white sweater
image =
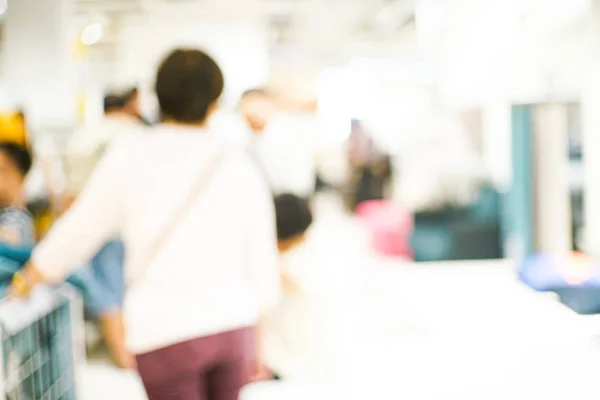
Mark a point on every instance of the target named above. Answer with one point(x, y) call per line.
point(293, 215)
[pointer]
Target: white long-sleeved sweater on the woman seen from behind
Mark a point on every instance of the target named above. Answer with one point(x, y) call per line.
point(219, 269)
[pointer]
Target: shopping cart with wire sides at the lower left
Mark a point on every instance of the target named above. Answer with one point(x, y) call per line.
point(41, 345)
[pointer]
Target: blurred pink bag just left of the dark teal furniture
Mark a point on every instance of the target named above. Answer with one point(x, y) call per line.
point(390, 227)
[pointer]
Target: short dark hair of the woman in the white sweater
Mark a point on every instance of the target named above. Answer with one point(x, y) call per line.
point(187, 83)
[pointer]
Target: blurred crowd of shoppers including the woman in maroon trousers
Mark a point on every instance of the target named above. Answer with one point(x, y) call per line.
point(174, 235)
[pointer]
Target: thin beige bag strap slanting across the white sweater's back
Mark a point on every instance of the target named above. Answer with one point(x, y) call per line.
point(203, 181)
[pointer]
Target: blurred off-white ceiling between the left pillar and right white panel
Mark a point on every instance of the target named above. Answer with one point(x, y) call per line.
point(314, 25)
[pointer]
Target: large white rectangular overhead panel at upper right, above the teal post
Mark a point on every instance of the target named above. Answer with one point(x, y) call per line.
point(506, 48)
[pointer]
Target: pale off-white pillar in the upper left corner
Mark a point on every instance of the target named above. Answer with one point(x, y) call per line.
point(39, 69)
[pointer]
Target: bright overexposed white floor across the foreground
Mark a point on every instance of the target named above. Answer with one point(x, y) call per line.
point(464, 330)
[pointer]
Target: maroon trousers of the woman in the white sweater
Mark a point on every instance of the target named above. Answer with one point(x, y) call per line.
point(208, 368)
